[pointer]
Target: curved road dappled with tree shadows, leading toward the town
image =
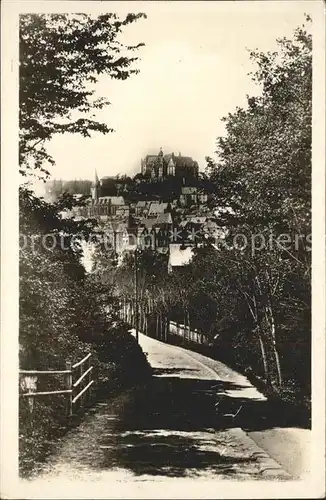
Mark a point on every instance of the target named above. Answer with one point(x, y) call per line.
point(187, 424)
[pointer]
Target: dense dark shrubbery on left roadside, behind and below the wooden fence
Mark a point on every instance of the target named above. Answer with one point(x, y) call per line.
point(64, 315)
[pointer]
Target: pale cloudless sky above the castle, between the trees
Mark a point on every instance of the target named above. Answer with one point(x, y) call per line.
point(193, 71)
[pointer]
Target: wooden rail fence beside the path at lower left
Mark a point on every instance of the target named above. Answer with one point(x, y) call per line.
point(78, 381)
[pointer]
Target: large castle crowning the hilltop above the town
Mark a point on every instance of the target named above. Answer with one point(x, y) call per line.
point(162, 166)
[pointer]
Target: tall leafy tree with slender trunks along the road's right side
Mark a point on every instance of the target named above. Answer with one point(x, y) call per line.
point(262, 180)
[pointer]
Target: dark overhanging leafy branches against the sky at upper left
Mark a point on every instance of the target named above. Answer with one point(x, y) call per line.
point(61, 59)
